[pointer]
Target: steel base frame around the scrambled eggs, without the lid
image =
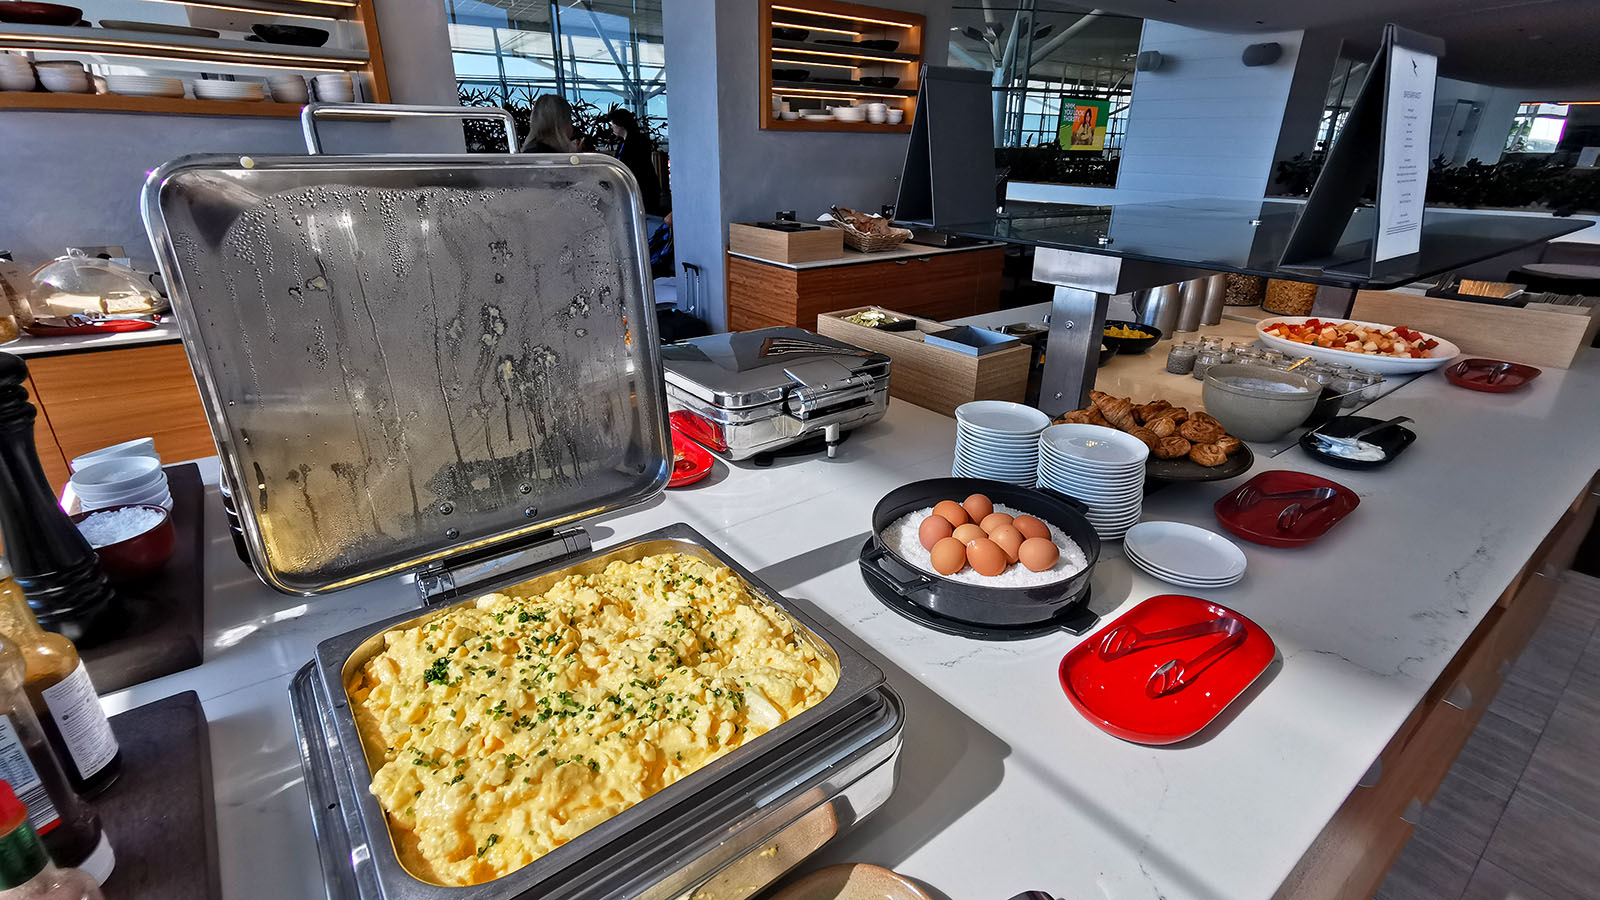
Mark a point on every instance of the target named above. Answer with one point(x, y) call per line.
point(332, 749)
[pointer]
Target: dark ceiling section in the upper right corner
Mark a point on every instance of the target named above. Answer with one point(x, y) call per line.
point(1543, 47)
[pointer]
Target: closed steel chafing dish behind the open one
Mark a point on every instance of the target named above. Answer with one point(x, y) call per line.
point(759, 392)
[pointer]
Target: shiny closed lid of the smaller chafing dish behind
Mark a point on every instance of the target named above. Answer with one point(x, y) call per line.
point(750, 369)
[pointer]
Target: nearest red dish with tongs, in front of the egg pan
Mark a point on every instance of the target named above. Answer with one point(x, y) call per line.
point(1113, 694)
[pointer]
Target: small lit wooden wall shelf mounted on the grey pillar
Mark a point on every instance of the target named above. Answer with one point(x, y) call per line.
point(842, 22)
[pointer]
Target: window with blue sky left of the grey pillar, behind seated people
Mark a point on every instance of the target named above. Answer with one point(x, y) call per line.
point(596, 54)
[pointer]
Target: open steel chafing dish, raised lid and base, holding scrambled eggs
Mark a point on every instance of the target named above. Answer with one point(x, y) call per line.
point(441, 368)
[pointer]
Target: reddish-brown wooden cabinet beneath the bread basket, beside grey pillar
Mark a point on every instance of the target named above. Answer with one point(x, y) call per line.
point(929, 283)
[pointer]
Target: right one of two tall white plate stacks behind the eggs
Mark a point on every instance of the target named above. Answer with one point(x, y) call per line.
point(1102, 467)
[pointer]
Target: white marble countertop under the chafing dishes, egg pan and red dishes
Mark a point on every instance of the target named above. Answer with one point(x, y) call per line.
point(1002, 785)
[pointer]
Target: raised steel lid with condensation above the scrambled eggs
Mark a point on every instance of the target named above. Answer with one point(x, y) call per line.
point(412, 360)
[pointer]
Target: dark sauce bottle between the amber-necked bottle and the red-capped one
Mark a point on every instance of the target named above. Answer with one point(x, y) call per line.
point(68, 827)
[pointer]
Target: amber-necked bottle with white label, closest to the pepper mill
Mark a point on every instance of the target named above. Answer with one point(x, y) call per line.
point(63, 697)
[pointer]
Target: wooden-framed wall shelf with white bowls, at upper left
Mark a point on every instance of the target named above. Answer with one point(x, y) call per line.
point(226, 55)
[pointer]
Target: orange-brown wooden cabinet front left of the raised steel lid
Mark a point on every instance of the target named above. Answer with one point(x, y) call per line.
point(98, 400)
